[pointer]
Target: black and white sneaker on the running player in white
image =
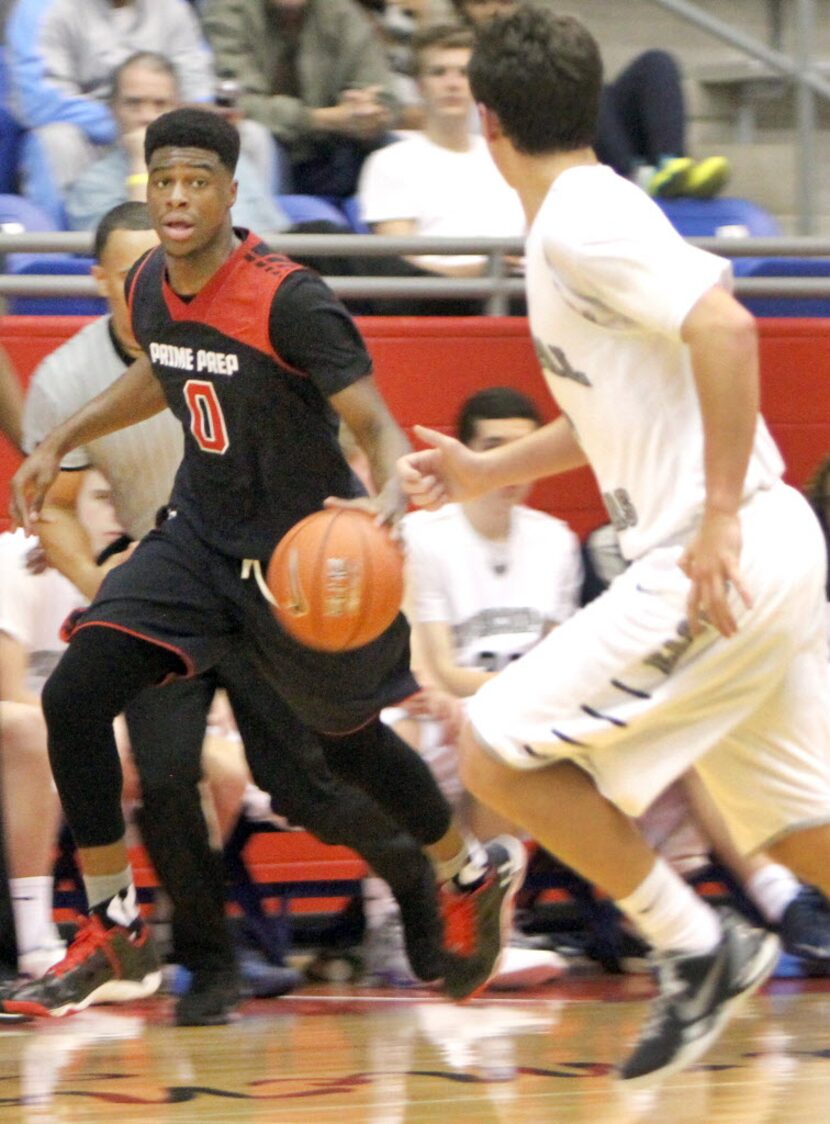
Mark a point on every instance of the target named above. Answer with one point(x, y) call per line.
point(698, 996)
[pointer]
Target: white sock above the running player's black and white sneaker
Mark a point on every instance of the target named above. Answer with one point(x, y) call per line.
point(671, 915)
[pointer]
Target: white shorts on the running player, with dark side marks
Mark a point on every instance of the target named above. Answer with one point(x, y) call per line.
point(625, 693)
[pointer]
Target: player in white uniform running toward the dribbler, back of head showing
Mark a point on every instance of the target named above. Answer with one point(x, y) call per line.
point(710, 649)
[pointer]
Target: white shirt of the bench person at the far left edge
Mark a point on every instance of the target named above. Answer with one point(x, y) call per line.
point(33, 608)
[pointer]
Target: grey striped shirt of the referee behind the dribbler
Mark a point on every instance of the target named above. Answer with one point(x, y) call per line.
point(139, 463)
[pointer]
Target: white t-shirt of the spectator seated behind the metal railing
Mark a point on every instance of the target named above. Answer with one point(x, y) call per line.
point(448, 194)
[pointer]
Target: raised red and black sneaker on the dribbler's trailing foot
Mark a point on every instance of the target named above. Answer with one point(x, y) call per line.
point(477, 922)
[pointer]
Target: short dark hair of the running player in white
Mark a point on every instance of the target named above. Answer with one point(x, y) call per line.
point(543, 76)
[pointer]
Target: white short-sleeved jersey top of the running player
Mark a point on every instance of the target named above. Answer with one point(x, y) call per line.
point(610, 283)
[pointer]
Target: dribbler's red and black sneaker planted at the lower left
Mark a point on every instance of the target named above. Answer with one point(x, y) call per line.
point(103, 965)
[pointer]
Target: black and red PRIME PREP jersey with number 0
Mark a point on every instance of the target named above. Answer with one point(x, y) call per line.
point(248, 367)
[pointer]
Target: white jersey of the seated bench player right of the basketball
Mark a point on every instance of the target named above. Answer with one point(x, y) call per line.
point(499, 599)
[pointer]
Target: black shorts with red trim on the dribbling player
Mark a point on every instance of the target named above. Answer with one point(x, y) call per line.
point(178, 592)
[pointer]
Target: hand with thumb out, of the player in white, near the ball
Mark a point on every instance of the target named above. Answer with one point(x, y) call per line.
point(444, 474)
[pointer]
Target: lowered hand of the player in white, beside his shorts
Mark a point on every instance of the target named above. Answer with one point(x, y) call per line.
point(712, 563)
